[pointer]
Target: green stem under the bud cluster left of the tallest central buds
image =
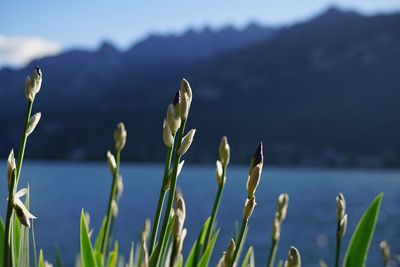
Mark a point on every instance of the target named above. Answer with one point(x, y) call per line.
point(104, 244)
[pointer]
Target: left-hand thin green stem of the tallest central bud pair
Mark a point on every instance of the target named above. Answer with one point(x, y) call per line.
point(163, 191)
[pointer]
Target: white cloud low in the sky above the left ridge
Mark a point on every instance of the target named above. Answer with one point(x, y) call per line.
point(19, 51)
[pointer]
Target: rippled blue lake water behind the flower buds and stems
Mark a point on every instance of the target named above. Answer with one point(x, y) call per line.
point(59, 191)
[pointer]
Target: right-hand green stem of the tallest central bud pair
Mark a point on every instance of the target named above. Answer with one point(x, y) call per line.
point(171, 194)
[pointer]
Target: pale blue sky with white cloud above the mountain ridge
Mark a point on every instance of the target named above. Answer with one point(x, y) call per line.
point(30, 29)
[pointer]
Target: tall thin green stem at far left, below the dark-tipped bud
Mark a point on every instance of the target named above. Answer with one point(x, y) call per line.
point(13, 187)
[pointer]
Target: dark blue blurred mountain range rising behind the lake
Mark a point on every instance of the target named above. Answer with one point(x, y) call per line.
point(320, 92)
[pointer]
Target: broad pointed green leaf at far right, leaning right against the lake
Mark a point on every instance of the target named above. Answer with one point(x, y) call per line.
point(357, 250)
